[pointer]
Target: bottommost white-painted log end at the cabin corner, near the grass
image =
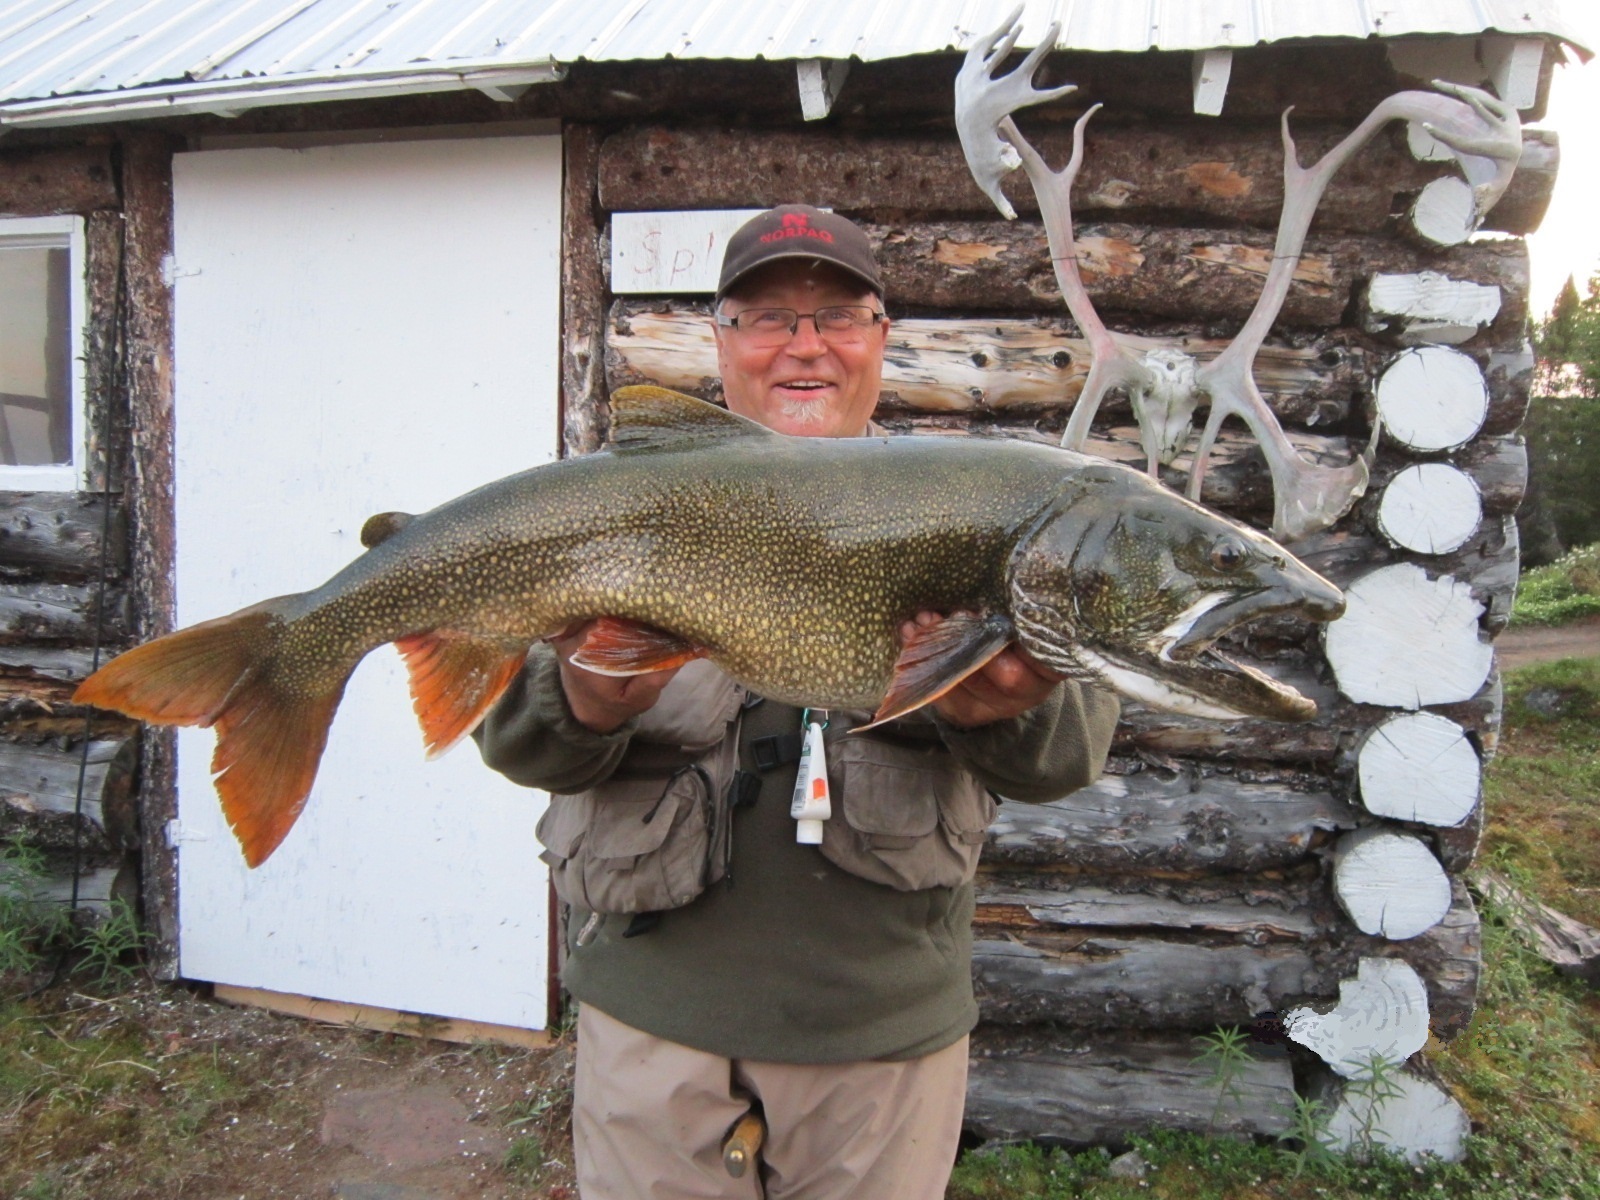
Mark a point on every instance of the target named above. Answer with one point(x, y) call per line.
point(1422, 1122)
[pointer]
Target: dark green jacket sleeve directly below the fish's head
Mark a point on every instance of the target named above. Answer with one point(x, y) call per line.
point(1047, 753)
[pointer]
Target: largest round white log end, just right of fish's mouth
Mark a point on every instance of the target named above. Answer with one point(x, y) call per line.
point(1407, 641)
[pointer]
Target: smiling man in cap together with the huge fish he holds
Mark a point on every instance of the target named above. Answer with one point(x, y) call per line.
point(770, 905)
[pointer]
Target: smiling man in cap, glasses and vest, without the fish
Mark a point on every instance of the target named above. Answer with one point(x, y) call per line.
point(828, 986)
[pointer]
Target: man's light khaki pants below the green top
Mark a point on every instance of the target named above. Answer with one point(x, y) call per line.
point(650, 1119)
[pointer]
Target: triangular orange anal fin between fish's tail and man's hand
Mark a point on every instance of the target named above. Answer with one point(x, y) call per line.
point(455, 681)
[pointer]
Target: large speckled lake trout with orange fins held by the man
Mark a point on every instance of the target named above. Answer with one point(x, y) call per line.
point(790, 562)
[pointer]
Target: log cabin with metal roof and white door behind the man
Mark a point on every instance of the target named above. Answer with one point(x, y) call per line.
point(271, 268)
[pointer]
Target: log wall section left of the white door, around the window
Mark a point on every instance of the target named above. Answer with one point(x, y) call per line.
point(68, 785)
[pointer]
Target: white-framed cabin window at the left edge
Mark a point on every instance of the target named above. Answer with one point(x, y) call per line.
point(42, 438)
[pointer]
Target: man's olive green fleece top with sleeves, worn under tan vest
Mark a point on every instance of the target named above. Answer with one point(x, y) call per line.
point(793, 959)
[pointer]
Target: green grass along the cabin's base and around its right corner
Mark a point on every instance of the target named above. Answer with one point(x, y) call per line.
point(1529, 1066)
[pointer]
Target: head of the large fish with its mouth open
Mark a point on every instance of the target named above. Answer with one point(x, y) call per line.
point(1126, 583)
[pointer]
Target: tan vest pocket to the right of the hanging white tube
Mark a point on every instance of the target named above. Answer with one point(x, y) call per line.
point(905, 817)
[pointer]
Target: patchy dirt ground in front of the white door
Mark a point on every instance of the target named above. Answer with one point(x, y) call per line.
point(250, 1105)
